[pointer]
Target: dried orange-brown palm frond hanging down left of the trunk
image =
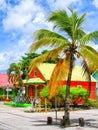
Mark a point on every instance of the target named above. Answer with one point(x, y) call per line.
point(59, 74)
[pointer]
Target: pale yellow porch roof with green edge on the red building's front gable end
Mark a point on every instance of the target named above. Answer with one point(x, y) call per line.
point(33, 81)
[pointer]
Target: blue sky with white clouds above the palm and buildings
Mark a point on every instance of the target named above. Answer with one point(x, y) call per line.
point(20, 18)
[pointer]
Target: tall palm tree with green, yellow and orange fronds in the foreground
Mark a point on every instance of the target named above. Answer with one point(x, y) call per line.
point(70, 42)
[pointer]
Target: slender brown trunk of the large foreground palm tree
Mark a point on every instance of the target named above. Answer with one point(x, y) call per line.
point(67, 99)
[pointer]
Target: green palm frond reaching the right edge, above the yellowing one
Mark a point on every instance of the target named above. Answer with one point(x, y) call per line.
point(91, 37)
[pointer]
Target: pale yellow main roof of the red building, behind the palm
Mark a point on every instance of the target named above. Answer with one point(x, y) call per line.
point(77, 75)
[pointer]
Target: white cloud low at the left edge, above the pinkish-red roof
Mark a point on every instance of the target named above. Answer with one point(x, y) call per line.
point(13, 55)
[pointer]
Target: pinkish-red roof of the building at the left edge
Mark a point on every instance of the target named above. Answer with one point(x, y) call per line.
point(4, 81)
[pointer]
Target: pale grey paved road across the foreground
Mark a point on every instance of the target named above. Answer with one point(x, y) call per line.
point(17, 119)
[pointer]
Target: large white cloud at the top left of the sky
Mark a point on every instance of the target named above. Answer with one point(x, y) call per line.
point(19, 15)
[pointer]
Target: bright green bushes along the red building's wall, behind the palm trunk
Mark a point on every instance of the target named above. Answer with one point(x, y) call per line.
point(77, 95)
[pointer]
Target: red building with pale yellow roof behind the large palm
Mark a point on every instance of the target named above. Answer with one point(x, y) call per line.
point(40, 75)
